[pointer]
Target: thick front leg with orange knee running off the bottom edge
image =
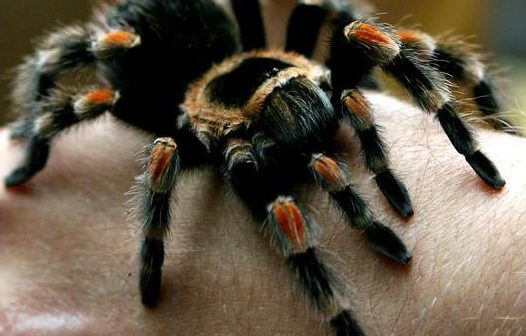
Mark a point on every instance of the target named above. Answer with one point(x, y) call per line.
point(292, 233)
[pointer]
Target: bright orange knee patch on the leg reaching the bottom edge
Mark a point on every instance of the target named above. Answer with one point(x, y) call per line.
point(290, 220)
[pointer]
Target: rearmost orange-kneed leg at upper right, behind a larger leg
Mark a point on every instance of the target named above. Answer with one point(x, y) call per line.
point(456, 59)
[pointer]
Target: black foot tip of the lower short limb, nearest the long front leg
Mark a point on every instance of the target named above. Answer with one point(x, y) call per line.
point(385, 241)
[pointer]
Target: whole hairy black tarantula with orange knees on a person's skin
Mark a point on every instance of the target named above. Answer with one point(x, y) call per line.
point(188, 72)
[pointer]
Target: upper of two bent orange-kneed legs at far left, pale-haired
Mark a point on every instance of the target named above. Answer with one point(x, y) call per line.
point(67, 50)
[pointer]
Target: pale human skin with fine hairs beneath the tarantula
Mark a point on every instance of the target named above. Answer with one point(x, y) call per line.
point(68, 250)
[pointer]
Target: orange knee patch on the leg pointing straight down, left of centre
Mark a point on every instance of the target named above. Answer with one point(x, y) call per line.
point(160, 158)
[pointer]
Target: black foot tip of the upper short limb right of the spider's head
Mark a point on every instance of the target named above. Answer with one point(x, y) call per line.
point(395, 193)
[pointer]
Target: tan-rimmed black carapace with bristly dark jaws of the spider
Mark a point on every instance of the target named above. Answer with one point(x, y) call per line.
point(262, 91)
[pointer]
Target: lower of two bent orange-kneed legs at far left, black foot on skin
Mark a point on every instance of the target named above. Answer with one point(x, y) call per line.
point(60, 110)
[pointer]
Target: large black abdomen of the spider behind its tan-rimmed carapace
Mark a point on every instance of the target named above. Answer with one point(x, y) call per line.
point(153, 76)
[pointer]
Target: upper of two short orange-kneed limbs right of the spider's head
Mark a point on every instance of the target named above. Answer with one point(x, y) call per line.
point(357, 112)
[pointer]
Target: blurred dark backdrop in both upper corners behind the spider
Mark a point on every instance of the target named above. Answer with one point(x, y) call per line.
point(497, 25)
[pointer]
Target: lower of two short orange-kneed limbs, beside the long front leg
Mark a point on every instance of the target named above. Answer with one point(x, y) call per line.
point(332, 176)
